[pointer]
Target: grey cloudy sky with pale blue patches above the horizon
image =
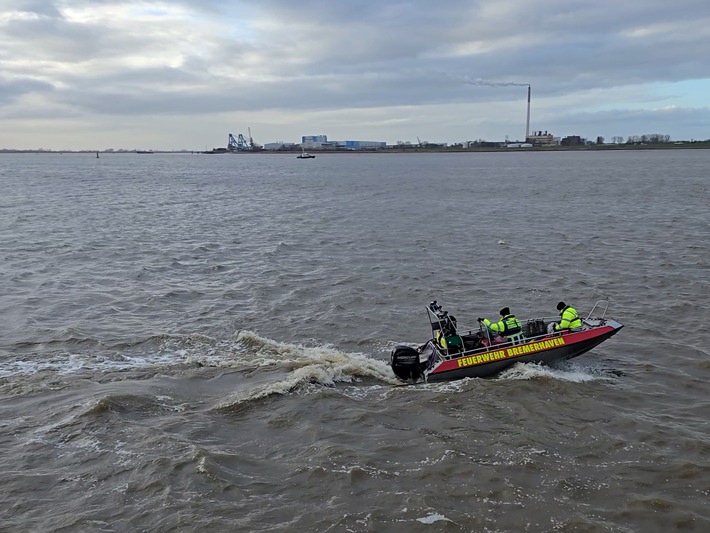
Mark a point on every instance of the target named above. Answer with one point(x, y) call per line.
point(182, 74)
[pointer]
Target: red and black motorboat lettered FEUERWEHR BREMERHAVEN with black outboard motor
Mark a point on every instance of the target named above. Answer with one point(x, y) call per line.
point(451, 354)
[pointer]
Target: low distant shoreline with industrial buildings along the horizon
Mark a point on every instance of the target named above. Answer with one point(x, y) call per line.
point(395, 150)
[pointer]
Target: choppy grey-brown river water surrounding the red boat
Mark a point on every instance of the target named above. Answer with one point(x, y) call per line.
point(192, 342)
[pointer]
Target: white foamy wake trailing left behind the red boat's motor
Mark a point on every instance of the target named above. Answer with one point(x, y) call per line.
point(266, 365)
